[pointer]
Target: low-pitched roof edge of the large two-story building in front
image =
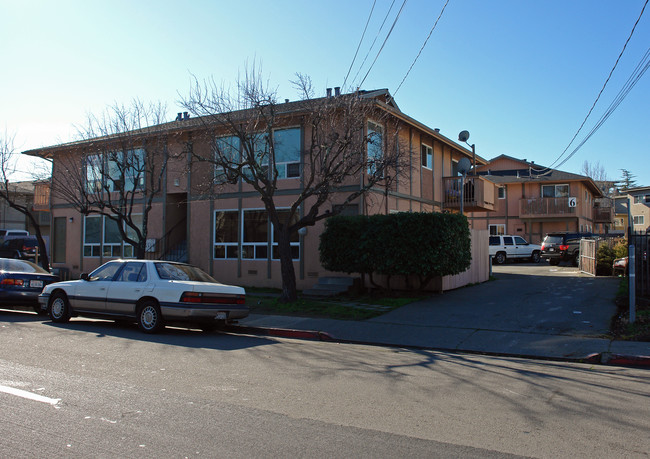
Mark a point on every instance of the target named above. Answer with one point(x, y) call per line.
point(381, 97)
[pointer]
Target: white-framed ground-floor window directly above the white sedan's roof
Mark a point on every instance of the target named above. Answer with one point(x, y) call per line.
point(102, 237)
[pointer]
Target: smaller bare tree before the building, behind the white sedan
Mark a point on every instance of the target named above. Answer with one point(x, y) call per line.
point(120, 172)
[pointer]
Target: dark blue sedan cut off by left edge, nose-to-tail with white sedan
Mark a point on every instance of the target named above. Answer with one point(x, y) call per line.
point(21, 282)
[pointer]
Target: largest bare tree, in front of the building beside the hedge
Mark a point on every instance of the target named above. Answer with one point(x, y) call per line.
point(339, 150)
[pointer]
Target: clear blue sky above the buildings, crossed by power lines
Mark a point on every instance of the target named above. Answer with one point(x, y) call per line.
point(520, 76)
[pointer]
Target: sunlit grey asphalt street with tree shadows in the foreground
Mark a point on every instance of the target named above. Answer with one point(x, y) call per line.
point(110, 391)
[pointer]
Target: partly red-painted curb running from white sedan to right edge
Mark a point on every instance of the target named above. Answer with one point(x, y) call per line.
point(604, 358)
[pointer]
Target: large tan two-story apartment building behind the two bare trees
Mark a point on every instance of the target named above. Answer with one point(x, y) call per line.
point(228, 234)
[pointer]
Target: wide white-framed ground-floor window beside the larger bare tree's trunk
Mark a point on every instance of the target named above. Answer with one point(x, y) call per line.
point(253, 229)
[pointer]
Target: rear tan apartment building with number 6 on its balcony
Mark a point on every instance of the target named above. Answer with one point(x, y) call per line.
point(533, 201)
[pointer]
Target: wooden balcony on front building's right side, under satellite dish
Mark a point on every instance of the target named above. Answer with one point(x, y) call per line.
point(478, 193)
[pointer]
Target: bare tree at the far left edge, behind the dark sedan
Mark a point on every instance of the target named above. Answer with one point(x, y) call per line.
point(8, 193)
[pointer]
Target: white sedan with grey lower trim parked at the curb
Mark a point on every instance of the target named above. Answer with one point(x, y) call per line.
point(153, 293)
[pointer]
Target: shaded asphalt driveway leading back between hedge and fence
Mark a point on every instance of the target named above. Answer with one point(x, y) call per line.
point(525, 298)
